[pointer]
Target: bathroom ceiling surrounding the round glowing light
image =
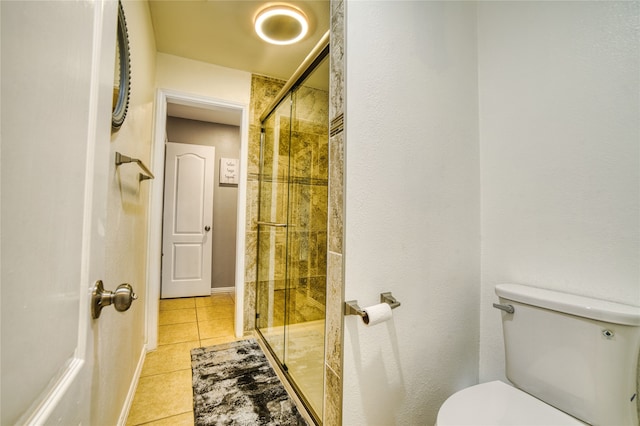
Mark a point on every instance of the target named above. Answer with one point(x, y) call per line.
point(221, 32)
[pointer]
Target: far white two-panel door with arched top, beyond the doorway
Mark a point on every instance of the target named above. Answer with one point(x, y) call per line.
point(188, 217)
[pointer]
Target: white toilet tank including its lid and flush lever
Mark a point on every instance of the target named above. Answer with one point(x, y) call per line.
point(578, 354)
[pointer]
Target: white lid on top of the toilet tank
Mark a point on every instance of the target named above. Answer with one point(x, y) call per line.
point(587, 307)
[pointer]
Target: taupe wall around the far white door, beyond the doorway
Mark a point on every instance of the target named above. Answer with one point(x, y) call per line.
point(226, 140)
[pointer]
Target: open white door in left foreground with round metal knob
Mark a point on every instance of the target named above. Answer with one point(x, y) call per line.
point(57, 77)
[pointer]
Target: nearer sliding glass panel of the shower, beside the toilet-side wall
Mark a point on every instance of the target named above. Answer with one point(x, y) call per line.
point(307, 242)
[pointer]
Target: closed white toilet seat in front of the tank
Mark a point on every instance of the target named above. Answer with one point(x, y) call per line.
point(496, 403)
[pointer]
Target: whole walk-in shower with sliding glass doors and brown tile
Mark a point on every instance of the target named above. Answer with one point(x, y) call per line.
point(292, 228)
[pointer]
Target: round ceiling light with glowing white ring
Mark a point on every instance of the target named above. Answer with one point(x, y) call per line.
point(281, 25)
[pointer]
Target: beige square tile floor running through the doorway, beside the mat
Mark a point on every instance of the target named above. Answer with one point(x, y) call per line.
point(164, 394)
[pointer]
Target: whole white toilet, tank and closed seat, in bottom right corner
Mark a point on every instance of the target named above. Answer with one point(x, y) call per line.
point(572, 360)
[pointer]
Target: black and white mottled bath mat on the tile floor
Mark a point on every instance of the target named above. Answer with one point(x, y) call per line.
point(233, 384)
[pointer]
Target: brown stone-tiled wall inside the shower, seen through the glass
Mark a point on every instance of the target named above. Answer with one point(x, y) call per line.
point(295, 184)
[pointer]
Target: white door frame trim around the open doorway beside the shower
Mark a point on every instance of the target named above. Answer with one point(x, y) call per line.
point(154, 243)
